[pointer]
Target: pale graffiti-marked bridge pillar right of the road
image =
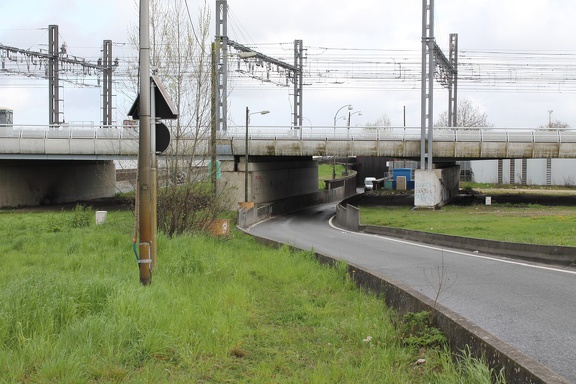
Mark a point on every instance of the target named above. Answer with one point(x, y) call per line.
point(434, 188)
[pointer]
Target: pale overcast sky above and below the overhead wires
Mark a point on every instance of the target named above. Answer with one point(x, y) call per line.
point(492, 25)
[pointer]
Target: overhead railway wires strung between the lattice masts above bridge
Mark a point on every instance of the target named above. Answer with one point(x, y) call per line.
point(368, 68)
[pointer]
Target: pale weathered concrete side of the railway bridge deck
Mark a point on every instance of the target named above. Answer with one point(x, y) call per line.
point(450, 144)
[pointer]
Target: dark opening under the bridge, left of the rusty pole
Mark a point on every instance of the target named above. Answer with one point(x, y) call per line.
point(40, 182)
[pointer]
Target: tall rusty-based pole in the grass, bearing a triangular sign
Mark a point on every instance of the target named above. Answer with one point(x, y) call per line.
point(145, 182)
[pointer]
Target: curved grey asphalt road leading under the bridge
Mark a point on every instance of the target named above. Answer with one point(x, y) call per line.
point(530, 306)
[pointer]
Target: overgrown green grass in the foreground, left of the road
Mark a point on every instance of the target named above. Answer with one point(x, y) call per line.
point(72, 310)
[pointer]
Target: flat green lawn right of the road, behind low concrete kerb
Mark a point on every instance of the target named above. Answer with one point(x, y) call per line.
point(529, 223)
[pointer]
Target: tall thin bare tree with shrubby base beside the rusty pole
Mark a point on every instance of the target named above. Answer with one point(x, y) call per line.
point(181, 58)
